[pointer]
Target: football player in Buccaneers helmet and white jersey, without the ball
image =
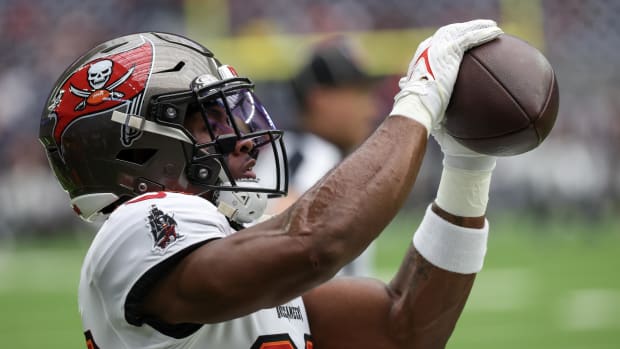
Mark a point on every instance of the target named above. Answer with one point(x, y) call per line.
point(154, 135)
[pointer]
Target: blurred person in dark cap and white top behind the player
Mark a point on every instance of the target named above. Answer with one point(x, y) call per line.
point(336, 111)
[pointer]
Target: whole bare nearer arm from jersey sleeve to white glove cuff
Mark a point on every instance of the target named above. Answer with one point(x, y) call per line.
point(309, 242)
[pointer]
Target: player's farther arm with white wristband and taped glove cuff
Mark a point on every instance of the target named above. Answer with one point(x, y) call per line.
point(421, 305)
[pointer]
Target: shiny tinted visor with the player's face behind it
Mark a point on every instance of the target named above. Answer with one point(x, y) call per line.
point(235, 128)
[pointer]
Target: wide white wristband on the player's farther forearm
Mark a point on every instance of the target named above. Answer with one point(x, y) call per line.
point(449, 246)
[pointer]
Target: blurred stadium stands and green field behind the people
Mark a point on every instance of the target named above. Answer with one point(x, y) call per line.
point(552, 278)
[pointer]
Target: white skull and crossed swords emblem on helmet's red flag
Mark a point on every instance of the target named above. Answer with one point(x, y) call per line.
point(98, 75)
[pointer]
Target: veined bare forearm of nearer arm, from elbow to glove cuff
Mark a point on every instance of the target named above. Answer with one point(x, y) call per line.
point(345, 211)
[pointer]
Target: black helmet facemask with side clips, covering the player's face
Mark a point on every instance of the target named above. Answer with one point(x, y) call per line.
point(236, 146)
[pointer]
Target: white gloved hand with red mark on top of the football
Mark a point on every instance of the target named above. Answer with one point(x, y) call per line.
point(427, 87)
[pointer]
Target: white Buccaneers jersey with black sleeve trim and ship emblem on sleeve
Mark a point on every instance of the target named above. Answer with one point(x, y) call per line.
point(132, 248)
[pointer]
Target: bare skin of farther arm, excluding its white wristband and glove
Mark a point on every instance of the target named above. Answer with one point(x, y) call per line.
point(417, 309)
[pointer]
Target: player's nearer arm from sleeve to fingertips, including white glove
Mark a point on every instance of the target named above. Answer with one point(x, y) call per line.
point(277, 260)
